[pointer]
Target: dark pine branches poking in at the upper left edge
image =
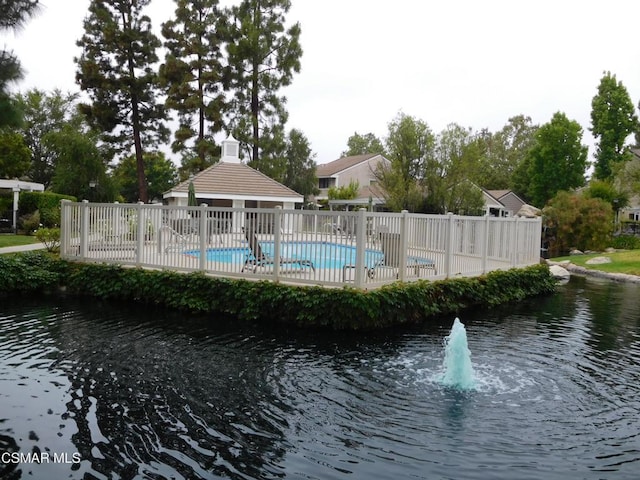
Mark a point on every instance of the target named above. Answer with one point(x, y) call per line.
point(13, 15)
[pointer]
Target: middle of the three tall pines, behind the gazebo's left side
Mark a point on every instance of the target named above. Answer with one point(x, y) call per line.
point(193, 74)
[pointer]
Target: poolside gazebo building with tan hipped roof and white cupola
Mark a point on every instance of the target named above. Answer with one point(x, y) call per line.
point(230, 183)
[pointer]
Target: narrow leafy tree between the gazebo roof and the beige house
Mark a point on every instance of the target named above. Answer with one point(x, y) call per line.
point(300, 174)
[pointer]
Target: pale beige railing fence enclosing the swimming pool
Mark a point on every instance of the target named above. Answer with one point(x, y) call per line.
point(363, 249)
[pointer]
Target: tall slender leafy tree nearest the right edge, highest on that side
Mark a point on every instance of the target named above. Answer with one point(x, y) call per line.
point(613, 119)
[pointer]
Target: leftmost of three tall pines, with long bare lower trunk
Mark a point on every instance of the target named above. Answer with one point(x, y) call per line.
point(116, 68)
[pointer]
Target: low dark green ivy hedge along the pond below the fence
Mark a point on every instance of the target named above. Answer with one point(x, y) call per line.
point(339, 309)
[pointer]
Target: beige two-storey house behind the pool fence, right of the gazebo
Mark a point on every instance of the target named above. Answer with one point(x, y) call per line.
point(357, 168)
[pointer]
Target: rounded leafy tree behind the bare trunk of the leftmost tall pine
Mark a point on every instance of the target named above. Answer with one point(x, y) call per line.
point(160, 172)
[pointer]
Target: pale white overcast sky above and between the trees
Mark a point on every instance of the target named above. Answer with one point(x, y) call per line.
point(475, 63)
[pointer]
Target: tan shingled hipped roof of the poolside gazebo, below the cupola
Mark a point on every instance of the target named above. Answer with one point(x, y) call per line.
point(225, 180)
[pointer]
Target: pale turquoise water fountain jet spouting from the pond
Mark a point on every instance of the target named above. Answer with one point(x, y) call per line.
point(458, 371)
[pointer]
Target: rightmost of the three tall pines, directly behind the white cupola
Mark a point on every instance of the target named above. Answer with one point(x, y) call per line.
point(263, 55)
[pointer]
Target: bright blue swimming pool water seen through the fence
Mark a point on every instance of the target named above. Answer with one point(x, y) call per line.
point(322, 254)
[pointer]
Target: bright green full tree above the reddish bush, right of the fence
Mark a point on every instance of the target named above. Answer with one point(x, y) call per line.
point(557, 160)
